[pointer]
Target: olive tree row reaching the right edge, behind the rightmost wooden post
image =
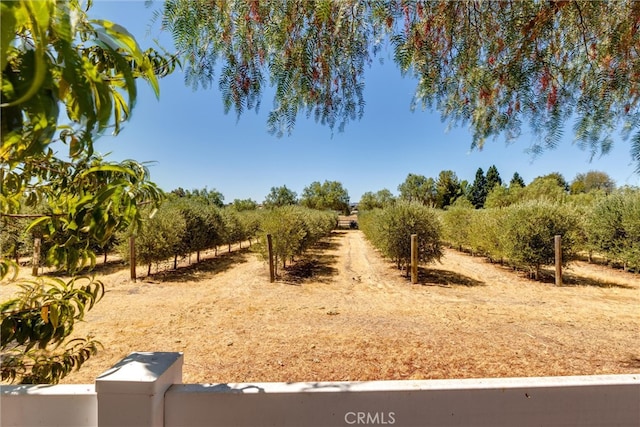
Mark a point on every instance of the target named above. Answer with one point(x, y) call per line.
point(522, 234)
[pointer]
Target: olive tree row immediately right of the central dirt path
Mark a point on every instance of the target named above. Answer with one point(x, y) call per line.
point(390, 229)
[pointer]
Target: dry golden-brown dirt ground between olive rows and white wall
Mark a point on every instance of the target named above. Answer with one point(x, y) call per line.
point(344, 313)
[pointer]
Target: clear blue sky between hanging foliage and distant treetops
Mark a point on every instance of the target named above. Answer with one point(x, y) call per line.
point(193, 144)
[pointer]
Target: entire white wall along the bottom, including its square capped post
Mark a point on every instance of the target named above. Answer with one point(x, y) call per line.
point(145, 389)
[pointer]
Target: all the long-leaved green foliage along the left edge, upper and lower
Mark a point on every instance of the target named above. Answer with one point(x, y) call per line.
point(53, 57)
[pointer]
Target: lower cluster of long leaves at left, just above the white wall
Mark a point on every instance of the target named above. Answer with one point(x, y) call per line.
point(37, 321)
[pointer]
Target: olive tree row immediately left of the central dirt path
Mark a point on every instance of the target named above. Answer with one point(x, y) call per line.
point(293, 229)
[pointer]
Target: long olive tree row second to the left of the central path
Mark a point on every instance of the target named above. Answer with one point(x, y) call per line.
point(184, 226)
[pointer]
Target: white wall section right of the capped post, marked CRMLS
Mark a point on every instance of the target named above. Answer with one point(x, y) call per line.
point(555, 401)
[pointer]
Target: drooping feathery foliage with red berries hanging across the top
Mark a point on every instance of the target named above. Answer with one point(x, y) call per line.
point(496, 66)
